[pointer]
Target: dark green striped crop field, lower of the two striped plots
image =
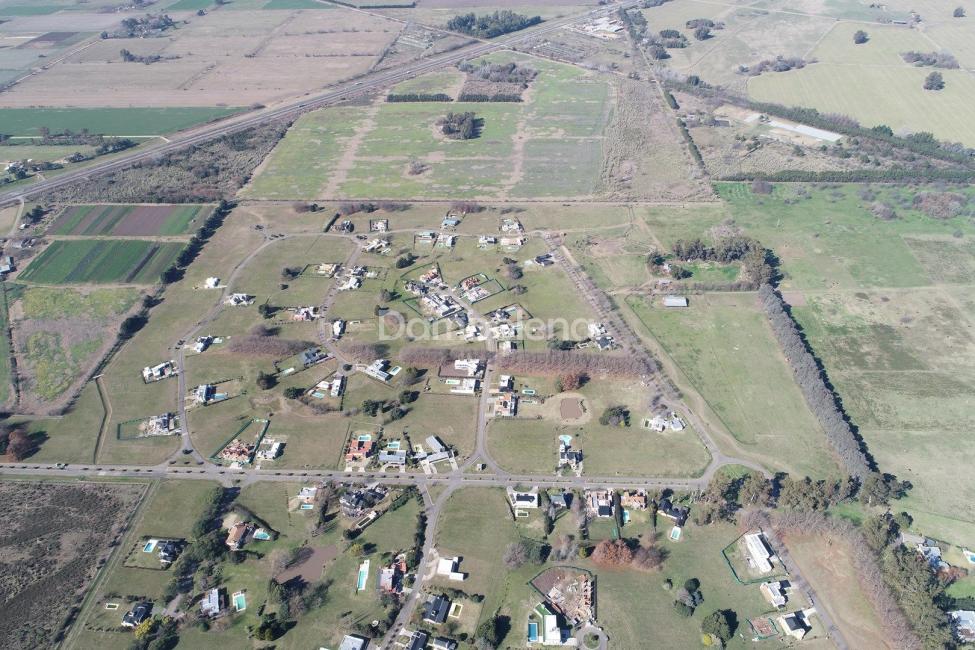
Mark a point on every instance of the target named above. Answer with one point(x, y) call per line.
point(126, 261)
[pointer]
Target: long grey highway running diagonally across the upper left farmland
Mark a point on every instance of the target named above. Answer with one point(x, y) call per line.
point(295, 107)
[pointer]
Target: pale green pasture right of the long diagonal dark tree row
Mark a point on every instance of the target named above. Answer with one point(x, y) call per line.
point(911, 401)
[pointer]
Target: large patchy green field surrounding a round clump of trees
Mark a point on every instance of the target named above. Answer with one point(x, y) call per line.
point(561, 119)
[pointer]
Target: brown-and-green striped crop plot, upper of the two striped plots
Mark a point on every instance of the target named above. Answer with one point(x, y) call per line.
point(129, 220)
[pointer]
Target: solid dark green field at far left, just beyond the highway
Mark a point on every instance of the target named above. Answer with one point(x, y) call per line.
point(107, 121)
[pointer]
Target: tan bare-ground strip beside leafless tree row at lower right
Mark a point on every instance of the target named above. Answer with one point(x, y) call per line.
point(827, 566)
